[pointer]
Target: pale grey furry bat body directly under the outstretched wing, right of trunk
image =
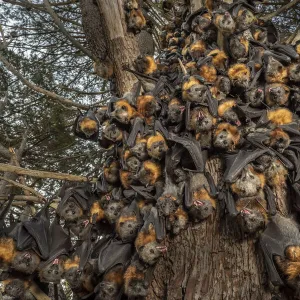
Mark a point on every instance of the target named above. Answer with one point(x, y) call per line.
point(249, 183)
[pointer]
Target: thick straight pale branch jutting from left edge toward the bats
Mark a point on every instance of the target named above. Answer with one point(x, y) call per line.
point(43, 174)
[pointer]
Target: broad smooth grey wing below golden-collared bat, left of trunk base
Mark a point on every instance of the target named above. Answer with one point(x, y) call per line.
point(113, 253)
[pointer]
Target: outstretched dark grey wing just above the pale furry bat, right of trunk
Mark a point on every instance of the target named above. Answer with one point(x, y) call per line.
point(236, 163)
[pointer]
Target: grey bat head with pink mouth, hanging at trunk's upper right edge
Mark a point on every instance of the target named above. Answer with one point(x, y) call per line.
point(251, 220)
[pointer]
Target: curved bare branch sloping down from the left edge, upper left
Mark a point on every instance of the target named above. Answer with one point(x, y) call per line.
point(38, 89)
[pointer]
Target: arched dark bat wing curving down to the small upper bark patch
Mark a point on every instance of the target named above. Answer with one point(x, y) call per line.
point(193, 147)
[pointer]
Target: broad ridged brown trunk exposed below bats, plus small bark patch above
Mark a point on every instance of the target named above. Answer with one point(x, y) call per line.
point(211, 260)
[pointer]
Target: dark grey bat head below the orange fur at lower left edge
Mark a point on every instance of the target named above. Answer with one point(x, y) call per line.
point(26, 262)
